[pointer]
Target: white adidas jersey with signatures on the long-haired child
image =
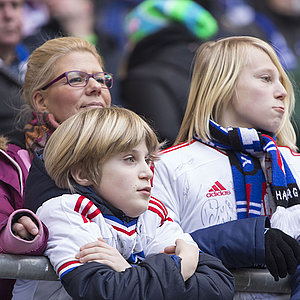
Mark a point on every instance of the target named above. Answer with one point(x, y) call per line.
point(195, 183)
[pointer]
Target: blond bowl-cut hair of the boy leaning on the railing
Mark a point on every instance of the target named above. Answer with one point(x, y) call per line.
point(90, 137)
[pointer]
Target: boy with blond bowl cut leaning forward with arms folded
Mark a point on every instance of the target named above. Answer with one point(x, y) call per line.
point(102, 158)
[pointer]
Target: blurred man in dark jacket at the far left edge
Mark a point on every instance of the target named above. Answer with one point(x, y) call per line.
point(13, 56)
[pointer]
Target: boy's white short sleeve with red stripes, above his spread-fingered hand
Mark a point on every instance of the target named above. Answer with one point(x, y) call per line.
point(68, 231)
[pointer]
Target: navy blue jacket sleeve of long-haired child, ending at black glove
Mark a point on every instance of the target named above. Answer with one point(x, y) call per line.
point(239, 243)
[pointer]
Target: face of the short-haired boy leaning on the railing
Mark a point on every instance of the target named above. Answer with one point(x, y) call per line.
point(125, 181)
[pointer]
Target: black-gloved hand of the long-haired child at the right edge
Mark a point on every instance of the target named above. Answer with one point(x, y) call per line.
point(282, 253)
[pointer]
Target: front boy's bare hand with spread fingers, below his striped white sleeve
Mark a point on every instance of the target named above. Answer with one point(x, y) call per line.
point(103, 253)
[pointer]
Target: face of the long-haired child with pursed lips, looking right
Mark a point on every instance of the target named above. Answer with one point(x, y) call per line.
point(258, 101)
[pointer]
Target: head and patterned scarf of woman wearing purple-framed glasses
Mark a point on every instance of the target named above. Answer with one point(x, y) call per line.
point(64, 76)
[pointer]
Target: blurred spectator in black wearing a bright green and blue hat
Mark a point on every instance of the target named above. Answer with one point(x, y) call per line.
point(164, 36)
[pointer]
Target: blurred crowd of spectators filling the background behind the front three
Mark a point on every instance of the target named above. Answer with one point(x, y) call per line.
point(149, 46)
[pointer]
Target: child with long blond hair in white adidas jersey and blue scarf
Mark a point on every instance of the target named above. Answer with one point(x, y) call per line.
point(233, 160)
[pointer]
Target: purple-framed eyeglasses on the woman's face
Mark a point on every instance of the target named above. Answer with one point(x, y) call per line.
point(81, 79)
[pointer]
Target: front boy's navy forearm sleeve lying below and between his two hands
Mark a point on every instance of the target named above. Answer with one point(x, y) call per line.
point(157, 277)
